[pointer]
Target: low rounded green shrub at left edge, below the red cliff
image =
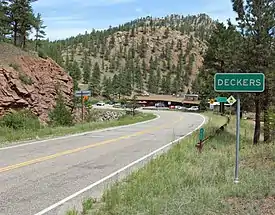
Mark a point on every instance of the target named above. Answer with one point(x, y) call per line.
point(23, 119)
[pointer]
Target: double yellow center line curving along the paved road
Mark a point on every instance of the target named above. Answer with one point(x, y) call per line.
point(67, 152)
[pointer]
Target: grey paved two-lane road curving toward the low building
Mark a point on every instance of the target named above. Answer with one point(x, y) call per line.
point(34, 177)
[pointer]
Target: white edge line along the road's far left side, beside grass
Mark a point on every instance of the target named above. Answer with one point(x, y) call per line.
point(77, 134)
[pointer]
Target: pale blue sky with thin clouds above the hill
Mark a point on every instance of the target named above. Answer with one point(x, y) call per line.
point(65, 18)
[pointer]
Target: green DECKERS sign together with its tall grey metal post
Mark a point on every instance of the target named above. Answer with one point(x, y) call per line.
point(238, 83)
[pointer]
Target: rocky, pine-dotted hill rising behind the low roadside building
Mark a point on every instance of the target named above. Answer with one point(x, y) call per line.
point(160, 55)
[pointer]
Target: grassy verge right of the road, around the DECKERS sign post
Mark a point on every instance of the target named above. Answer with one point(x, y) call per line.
point(185, 182)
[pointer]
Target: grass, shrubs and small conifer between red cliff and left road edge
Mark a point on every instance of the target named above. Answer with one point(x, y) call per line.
point(24, 125)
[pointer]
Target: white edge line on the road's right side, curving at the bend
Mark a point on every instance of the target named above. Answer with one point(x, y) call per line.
point(118, 171)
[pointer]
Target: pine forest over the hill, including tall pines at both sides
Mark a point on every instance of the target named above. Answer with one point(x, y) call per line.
point(162, 55)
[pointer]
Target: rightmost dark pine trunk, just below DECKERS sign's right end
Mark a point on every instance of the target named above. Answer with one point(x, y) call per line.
point(266, 103)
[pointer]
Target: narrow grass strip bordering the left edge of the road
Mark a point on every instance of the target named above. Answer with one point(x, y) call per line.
point(8, 135)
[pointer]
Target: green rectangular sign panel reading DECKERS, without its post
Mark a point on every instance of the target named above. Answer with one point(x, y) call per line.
point(239, 82)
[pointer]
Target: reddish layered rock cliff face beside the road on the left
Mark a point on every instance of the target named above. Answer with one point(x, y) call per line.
point(31, 83)
